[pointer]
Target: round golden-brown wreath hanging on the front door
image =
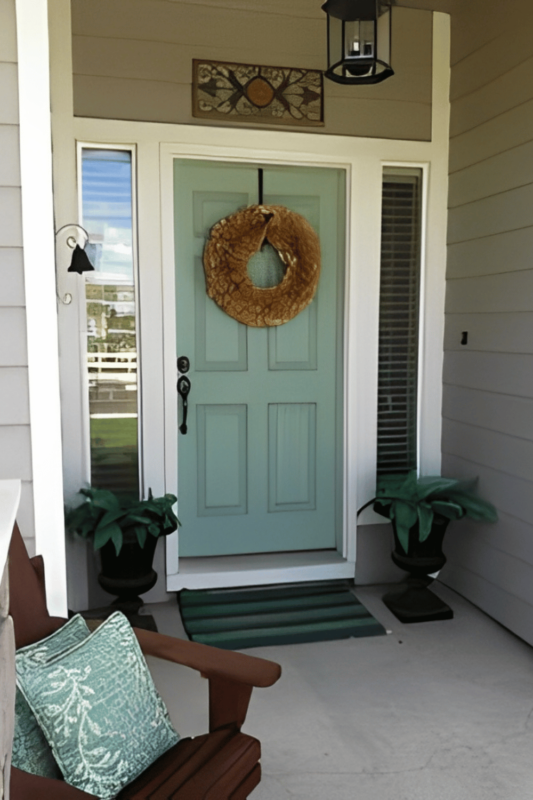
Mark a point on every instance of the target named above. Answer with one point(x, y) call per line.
point(234, 241)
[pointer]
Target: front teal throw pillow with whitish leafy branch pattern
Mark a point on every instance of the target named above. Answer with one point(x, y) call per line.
point(99, 709)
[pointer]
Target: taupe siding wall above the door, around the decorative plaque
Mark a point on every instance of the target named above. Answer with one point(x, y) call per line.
point(132, 59)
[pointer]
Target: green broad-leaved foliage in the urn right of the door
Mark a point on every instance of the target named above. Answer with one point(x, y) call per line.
point(411, 500)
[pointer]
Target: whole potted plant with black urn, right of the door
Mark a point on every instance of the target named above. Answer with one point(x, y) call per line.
point(420, 510)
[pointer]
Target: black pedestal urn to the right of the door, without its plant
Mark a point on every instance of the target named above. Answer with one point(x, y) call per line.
point(412, 601)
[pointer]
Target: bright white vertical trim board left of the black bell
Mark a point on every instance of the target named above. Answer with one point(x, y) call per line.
point(40, 295)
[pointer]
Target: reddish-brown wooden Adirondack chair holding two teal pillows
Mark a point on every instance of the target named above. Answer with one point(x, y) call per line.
point(220, 765)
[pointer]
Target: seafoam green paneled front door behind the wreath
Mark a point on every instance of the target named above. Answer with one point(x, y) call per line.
point(260, 466)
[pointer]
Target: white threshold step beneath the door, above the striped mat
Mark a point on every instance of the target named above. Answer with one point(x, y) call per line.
point(219, 572)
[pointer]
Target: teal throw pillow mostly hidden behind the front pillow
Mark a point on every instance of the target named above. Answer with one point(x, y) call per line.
point(31, 751)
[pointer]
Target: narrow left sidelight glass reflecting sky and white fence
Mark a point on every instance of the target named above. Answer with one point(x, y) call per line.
point(107, 212)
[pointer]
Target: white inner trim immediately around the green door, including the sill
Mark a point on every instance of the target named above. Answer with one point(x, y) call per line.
point(231, 571)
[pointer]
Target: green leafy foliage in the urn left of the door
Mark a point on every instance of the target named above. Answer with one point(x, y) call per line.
point(104, 517)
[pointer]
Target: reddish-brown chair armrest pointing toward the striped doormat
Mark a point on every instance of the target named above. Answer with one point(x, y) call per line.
point(212, 662)
